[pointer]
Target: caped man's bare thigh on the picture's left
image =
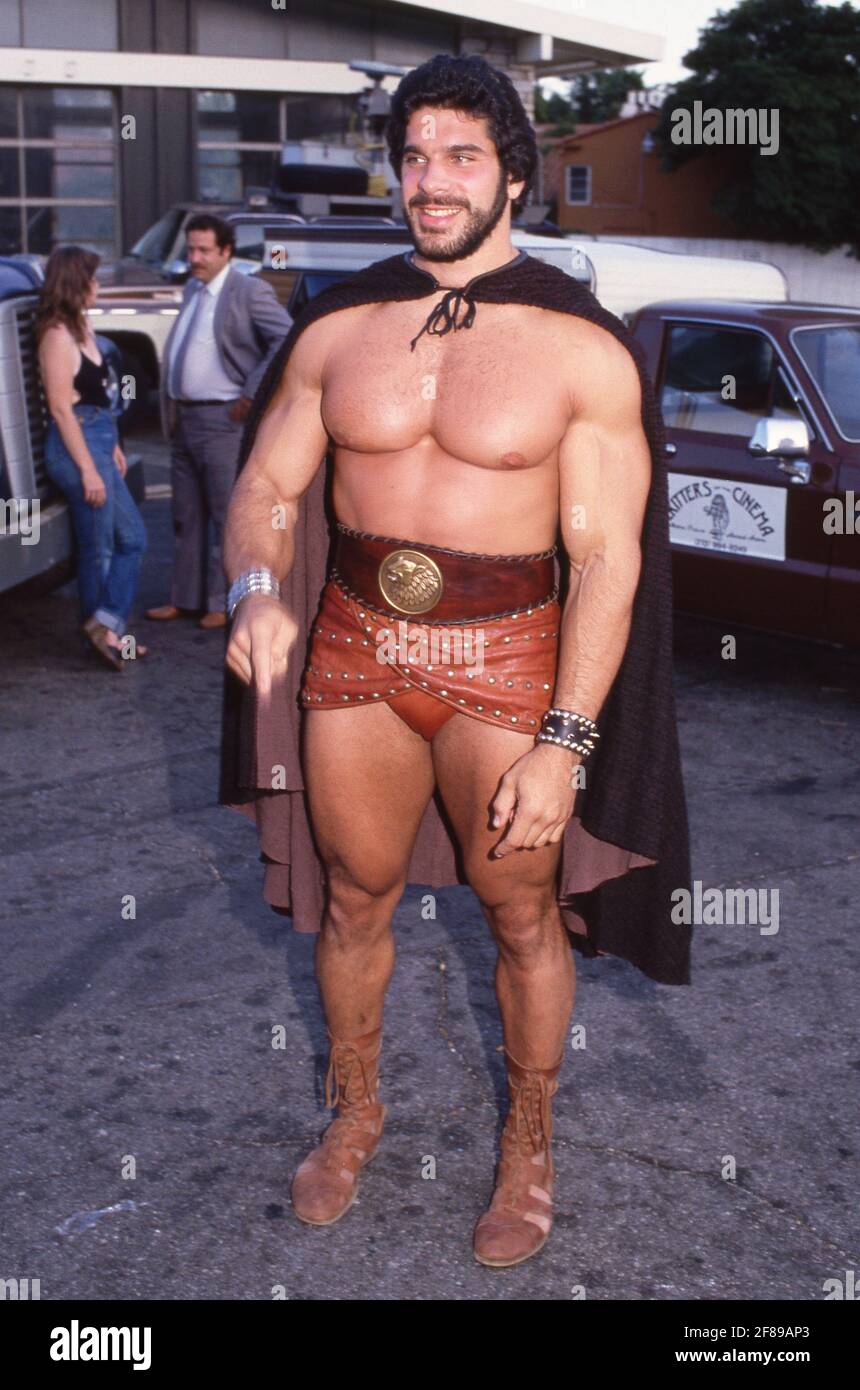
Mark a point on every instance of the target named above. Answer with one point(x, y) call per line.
point(369, 780)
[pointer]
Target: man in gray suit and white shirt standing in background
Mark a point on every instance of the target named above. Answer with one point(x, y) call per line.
point(215, 359)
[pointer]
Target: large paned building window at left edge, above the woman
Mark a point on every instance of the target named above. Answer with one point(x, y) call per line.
point(58, 170)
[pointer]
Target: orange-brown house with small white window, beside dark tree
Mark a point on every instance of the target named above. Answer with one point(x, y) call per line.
point(611, 183)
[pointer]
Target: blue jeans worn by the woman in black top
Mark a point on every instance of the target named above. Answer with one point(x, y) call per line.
point(112, 539)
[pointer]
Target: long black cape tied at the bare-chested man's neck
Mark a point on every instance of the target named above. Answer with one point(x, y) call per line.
point(626, 850)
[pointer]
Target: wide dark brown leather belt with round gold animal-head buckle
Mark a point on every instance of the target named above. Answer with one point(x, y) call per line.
point(433, 584)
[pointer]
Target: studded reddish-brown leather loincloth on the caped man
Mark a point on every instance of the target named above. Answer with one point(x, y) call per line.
point(501, 671)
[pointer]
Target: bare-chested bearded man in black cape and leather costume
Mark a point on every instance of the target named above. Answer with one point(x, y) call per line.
point(462, 718)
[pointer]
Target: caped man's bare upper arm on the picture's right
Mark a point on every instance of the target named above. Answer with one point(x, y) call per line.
point(605, 465)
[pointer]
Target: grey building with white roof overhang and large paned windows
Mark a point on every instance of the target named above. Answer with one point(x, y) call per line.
point(112, 111)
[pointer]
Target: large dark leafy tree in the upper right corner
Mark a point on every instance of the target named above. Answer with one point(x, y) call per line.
point(800, 60)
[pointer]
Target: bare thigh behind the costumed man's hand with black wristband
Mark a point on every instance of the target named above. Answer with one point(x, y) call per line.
point(470, 758)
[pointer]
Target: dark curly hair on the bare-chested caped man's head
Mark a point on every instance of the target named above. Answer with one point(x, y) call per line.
point(474, 87)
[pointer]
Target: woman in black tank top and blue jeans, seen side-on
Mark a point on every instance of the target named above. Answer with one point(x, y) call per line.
point(84, 459)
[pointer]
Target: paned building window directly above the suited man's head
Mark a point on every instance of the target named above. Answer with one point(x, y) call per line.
point(240, 138)
